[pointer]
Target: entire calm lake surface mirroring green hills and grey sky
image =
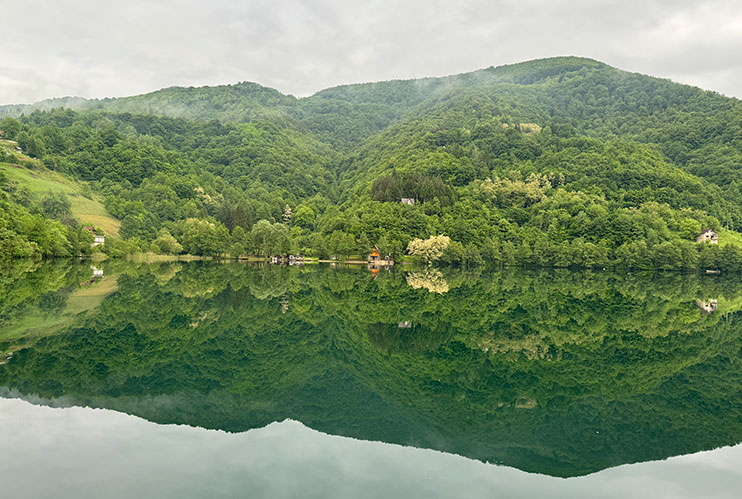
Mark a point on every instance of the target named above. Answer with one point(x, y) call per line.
point(210, 379)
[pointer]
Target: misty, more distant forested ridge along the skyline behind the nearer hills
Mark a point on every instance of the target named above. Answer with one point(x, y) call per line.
point(685, 122)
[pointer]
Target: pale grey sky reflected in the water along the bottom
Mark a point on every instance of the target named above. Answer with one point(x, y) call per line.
point(78, 452)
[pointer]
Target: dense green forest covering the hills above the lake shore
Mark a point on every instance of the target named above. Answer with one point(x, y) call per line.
point(563, 162)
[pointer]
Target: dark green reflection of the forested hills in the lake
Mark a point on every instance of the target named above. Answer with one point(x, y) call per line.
point(562, 373)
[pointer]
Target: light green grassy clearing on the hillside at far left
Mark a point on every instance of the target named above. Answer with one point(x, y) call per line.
point(40, 181)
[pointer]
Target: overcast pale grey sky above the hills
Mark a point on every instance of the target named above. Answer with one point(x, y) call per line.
point(103, 48)
